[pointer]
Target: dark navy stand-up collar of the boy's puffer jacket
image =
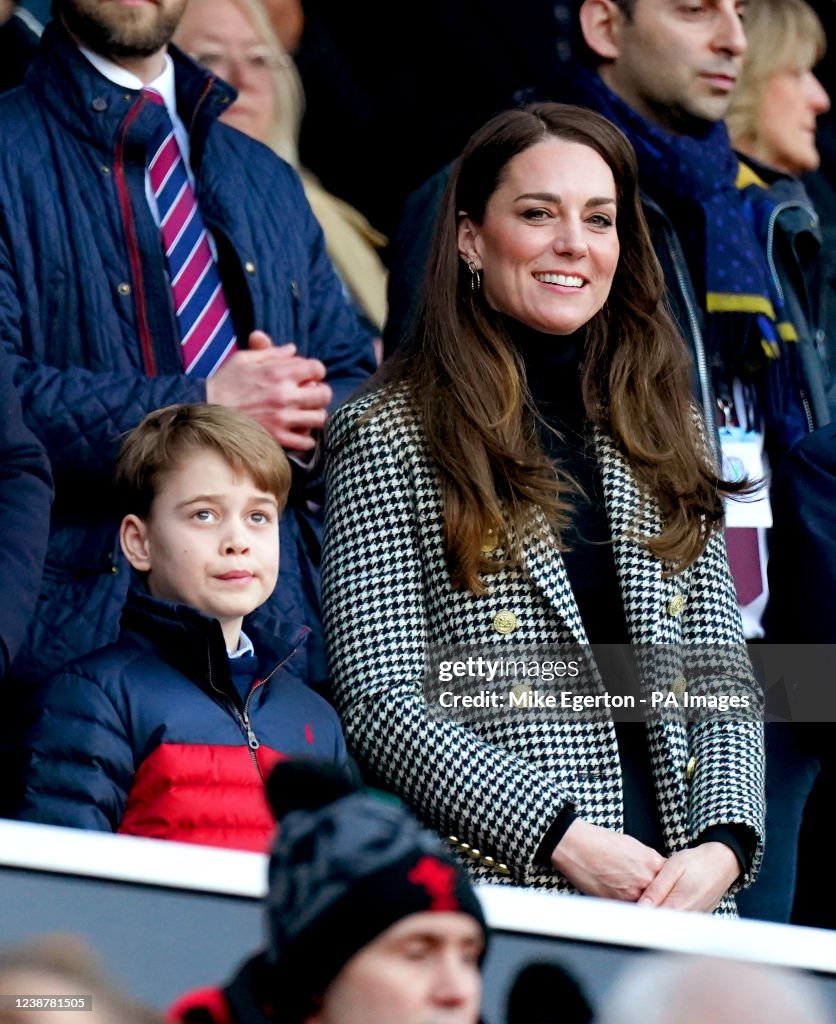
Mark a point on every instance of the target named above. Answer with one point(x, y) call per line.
point(194, 644)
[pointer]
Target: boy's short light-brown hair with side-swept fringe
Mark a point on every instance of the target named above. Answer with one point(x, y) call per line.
point(166, 436)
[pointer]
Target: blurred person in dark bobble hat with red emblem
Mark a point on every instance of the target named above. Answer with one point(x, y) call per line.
point(368, 921)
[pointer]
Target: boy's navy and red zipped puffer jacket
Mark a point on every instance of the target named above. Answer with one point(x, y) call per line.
point(151, 736)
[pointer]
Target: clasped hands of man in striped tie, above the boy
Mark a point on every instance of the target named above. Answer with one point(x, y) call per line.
point(284, 392)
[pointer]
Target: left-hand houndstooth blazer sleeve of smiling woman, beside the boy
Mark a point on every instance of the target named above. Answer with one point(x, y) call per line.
point(375, 615)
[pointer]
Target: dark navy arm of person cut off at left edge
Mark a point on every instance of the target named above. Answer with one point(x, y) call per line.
point(26, 495)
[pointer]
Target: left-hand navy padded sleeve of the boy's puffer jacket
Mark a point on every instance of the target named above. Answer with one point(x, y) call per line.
point(81, 766)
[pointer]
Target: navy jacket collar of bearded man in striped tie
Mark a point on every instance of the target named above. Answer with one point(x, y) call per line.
point(95, 109)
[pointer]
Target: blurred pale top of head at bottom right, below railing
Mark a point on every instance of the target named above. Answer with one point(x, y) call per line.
point(662, 989)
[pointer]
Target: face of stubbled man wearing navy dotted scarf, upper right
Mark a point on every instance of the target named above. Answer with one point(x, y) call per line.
point(677, 63)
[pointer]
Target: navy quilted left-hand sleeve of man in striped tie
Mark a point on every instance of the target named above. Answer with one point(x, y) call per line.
point(79, 415)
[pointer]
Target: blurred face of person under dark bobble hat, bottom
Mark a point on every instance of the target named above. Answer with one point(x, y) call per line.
point(423, 970)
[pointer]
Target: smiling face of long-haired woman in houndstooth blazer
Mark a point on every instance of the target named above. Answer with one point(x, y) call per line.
point(549, 244)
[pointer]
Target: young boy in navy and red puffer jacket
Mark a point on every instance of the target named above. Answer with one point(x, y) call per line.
point(171, 732)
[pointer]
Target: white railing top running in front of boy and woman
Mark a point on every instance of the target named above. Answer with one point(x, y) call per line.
point(228, 873)
